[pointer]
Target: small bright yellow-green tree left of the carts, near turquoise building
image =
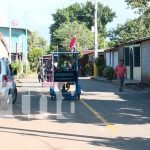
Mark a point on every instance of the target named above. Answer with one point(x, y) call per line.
point(33, 57)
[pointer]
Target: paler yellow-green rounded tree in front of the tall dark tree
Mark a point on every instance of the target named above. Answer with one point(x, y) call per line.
point(85, 38)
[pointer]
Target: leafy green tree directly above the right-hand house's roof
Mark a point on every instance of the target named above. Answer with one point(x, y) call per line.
point(131, 30)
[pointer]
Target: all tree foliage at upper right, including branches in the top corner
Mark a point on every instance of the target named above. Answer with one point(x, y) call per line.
point(133, 29)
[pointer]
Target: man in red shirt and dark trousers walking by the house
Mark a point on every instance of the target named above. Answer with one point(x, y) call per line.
point(121, 73)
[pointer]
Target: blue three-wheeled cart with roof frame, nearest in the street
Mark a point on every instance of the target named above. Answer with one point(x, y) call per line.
point(65, 70)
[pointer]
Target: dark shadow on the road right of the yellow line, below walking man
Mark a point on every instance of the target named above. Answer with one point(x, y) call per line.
point(131, 108)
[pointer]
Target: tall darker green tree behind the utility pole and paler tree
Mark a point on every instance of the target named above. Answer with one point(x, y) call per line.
point(83, 14)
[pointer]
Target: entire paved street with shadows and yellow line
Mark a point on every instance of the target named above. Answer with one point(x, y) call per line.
point(104, 119)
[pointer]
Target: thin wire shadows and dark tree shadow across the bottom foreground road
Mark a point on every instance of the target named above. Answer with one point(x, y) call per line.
point(123, 143)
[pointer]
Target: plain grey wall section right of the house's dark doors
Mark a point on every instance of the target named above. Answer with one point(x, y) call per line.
point(145, 61)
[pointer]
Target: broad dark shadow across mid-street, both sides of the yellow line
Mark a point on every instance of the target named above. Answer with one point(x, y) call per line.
point(130, 109)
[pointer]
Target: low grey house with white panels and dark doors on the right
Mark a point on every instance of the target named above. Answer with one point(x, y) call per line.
point(136, 56)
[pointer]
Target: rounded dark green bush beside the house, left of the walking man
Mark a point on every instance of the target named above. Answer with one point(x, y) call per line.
point(108, 72)
